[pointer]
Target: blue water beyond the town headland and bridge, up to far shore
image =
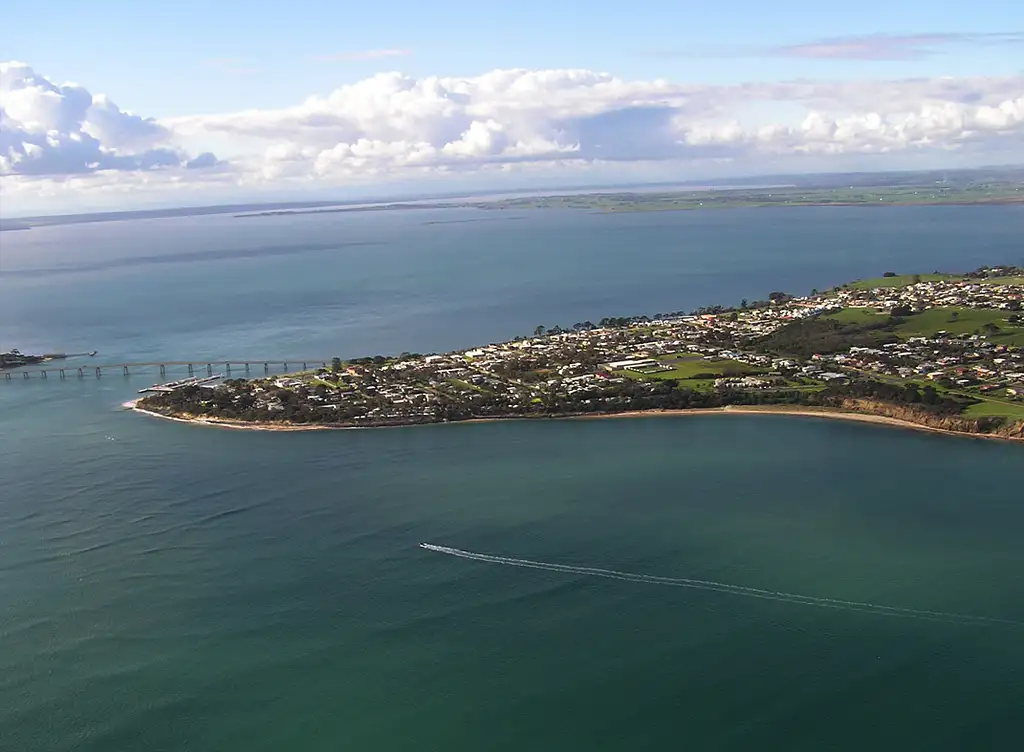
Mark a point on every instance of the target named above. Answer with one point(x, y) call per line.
point(359, 284)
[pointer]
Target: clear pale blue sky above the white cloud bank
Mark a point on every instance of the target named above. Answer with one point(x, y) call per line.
point(193, 57)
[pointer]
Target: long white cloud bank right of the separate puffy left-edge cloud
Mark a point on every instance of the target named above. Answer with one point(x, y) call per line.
point(391, 122)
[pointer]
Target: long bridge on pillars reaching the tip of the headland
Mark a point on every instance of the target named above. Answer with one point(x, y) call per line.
point(193, 368)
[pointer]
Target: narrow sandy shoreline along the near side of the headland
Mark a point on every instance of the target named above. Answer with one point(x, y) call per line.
point(799, 412)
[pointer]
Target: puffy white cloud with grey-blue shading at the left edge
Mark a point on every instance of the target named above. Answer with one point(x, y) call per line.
point(56, 132)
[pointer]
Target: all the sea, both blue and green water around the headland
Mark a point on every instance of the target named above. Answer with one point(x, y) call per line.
point(717, 582)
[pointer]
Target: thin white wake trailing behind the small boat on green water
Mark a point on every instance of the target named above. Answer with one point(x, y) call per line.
point(722, 588)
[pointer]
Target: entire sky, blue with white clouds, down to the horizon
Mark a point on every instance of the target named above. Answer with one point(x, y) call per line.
point(124, 105)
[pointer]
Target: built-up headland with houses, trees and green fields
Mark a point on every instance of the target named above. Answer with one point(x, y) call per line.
point(935, 352)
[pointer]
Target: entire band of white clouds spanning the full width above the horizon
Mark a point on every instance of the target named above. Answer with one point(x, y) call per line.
point(396, 127)
